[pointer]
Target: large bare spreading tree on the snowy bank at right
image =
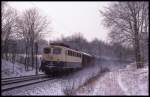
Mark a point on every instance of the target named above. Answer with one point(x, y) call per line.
point(127, 20)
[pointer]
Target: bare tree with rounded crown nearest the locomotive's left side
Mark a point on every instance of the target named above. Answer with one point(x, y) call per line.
point(32, 25)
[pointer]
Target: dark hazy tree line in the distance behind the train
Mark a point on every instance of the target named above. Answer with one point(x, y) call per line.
point(98, 48)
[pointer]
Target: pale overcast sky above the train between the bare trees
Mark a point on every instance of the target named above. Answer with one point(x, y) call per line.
point(70, 17)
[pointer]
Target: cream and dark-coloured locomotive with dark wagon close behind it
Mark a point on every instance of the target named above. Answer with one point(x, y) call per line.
point(61, 57)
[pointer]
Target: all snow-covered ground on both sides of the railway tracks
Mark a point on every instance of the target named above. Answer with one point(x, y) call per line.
point(119, 81)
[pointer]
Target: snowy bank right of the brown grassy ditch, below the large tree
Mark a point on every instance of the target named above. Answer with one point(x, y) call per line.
point(121, 82)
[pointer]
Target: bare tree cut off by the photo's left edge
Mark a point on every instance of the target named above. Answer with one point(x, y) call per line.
point(9, 17)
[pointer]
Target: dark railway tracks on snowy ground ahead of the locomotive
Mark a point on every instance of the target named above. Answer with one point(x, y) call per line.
point(17, 82)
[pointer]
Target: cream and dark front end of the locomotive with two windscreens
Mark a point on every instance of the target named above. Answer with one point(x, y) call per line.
point(53, 59)
